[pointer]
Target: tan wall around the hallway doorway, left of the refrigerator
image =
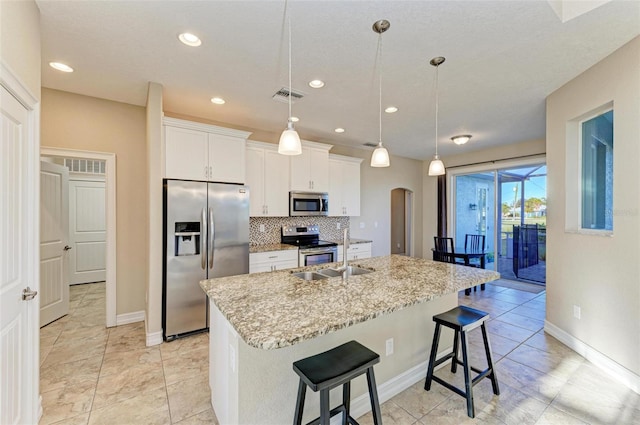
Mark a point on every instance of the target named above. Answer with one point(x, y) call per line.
point(73, 121)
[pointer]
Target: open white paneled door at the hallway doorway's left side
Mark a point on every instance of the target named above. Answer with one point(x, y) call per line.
point(54, 238)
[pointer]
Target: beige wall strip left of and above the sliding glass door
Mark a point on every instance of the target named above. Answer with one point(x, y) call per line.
point(430, 188)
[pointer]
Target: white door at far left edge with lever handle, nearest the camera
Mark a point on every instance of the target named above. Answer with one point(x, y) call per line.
point(18, 261)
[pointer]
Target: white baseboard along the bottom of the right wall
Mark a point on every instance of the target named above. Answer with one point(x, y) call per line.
point(610, 367)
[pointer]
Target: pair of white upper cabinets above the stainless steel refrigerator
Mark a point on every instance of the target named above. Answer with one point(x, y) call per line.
point(195, 151)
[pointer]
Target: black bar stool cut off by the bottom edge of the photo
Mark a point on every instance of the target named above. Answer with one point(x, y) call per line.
point(330, 369)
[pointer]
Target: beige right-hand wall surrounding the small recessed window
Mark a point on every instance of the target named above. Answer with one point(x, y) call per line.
point(600, 274)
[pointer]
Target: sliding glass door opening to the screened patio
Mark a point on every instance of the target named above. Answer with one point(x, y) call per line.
point(508, 206)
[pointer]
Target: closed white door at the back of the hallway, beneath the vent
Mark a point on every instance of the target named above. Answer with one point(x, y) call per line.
point(87, 232)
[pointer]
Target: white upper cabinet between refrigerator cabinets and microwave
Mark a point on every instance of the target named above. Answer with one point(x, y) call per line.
point(268, 180)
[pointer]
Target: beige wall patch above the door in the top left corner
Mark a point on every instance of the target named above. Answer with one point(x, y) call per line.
point(20, 41)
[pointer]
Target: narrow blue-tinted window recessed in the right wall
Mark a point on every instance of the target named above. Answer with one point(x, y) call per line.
point(597, 172)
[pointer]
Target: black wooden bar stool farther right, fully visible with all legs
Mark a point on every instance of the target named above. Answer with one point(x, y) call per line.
point(462, 319)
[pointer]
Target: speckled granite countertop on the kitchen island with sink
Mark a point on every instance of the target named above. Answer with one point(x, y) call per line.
point(276, 309)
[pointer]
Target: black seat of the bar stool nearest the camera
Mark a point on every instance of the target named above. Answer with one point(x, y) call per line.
point(343, 359)
